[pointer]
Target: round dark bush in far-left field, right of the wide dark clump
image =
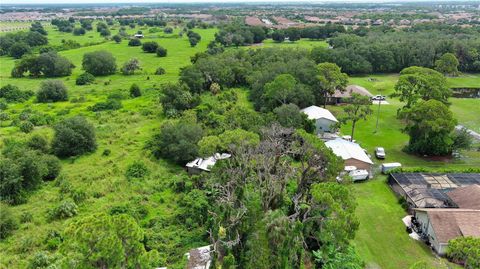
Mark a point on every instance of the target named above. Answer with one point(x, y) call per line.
point(99, 63)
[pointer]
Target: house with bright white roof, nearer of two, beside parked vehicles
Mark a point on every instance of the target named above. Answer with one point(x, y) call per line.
point(351, 153)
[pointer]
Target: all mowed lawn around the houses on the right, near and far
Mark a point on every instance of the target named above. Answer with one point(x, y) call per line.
point(381, 239)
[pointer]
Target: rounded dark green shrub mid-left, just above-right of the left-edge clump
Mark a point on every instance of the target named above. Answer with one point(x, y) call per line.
point(73, 136)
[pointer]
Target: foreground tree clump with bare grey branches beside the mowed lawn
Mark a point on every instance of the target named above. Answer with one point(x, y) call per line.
point(277, 230)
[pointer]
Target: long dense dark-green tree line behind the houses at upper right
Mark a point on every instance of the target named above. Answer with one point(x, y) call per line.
point(393, 51)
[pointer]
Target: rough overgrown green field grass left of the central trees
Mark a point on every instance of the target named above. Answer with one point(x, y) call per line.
point(123, 132)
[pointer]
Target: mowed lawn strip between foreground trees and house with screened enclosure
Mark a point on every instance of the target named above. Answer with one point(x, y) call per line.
point(381, 240)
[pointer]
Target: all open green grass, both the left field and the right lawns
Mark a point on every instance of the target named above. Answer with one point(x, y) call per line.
point(381, 240)
